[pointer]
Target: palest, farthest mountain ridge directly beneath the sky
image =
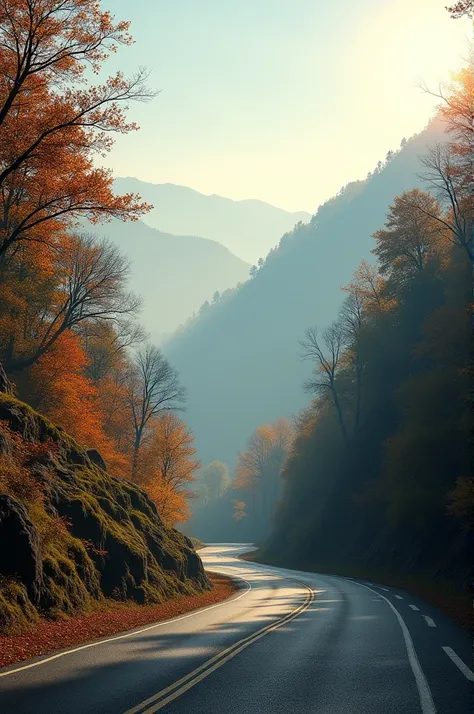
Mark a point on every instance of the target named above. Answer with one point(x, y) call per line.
point(247, 228)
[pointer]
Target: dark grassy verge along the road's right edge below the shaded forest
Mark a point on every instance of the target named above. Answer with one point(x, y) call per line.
point(440, 593)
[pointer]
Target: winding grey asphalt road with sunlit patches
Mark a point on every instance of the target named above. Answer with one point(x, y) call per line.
point(288, 642)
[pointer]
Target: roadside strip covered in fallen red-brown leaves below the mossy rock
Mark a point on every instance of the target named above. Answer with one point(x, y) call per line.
point(110, 618)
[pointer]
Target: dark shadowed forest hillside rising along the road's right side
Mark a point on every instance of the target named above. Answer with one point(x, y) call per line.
point(380, 477)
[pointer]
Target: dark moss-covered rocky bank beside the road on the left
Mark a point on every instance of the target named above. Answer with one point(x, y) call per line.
point(91, 535)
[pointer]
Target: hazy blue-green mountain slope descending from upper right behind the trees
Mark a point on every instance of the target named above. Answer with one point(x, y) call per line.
point(241, 363)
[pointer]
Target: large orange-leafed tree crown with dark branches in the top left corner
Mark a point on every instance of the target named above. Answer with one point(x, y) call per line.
point(54, 123)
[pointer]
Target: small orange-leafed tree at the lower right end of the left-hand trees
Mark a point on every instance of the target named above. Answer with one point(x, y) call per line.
point(168, 466)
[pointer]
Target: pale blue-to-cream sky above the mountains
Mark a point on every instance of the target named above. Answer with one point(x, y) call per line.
point(280, 100)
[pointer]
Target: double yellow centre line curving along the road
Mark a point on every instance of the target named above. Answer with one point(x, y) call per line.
point(175, 690)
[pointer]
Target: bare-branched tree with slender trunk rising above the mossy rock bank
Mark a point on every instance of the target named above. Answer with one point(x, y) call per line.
point(152, 388)
